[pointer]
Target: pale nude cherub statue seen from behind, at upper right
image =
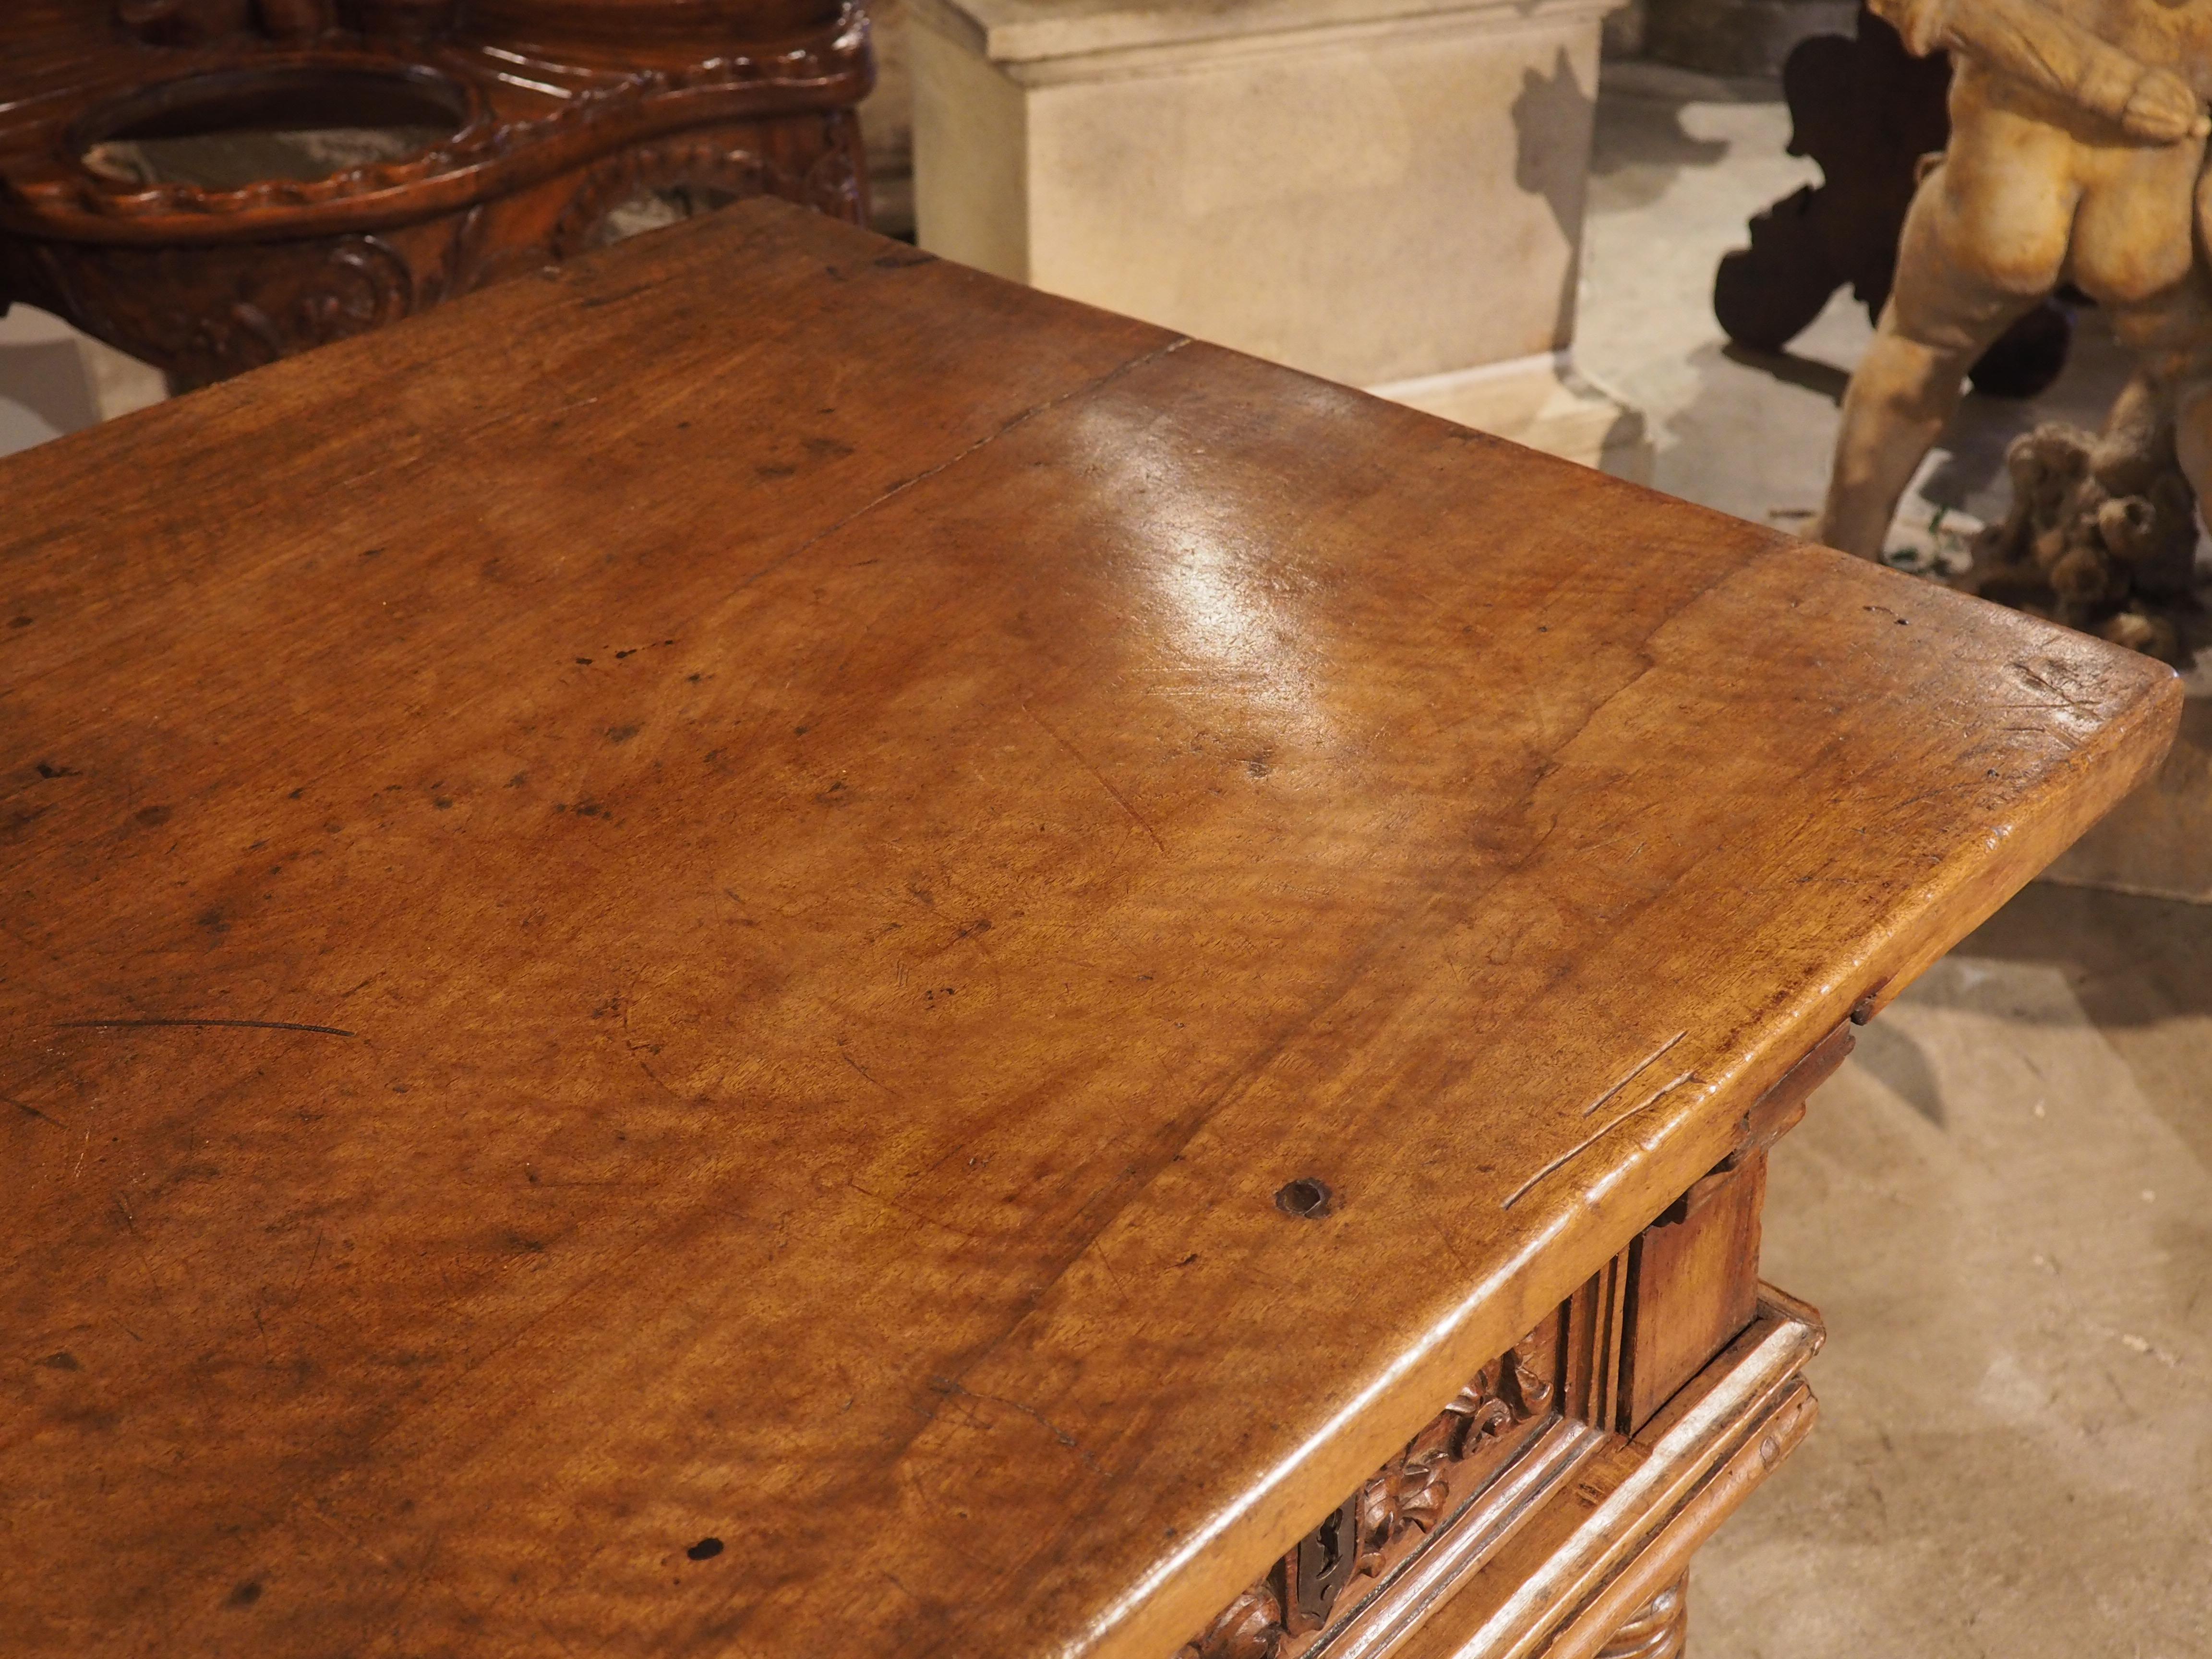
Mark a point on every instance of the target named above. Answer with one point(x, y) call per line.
point(2078, 145)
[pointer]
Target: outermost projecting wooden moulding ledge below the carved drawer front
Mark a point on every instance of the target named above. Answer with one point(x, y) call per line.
point(1722, 1419)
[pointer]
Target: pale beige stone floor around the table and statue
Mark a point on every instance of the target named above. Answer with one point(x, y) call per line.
point(2005, 1202)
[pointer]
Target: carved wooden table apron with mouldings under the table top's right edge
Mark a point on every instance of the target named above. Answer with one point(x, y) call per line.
point(1554, 1505)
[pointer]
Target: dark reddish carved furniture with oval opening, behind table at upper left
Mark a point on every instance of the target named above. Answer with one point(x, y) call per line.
point(550, 116)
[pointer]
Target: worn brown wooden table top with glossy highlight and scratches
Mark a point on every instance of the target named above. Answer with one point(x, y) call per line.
point(707, 899)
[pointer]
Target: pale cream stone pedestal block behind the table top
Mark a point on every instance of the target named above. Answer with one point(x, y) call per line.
point(1386, 194)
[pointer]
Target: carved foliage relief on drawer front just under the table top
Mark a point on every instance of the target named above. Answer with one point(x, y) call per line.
point(1408, 1496)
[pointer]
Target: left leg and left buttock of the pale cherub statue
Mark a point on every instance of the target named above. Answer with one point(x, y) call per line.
point(1979, 251)
